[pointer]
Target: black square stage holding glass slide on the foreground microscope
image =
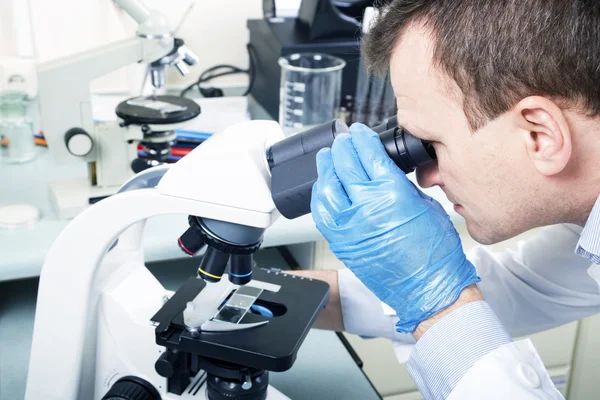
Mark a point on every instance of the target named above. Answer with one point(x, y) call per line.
point(272, 346)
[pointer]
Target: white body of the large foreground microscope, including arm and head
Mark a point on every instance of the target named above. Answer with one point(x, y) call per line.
point(94, 305)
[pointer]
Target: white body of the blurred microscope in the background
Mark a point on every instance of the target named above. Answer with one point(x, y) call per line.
point(66, 112)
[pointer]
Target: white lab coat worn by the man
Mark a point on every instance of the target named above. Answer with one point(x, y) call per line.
point(538, 285)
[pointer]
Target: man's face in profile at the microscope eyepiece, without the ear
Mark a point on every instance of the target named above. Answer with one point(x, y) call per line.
point(486, 174)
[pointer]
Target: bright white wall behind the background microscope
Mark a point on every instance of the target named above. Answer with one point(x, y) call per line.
point(214, 29)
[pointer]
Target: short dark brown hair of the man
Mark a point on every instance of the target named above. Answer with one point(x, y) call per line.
point(501, 51)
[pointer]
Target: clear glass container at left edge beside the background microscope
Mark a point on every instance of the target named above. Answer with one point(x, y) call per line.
point(16, 129)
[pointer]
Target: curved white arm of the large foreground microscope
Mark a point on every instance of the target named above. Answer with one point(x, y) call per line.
point(67, 295)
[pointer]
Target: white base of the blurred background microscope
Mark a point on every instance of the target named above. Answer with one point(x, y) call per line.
point(70, 197)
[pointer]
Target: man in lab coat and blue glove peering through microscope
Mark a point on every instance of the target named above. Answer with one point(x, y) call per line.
point(508, 93)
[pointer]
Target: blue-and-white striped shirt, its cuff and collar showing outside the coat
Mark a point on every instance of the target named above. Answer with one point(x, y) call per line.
point(454, 344)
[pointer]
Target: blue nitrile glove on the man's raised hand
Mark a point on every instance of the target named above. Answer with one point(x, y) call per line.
point(398, 241)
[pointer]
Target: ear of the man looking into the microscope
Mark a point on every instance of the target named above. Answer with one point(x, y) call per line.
point(546, 133)
